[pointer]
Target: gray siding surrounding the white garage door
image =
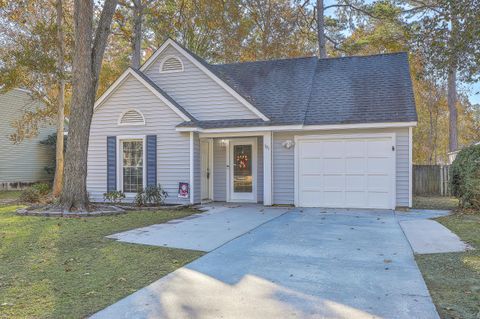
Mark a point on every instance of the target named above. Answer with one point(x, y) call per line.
point(283, 164)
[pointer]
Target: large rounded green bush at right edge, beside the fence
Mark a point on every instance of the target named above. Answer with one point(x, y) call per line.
point(465, 176)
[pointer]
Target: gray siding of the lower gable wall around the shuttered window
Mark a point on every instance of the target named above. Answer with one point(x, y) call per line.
point(173, 148)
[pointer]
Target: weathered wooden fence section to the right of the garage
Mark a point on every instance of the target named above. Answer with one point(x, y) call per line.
point(431, 180)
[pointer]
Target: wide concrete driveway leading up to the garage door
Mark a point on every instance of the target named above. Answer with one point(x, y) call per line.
point(310, 263)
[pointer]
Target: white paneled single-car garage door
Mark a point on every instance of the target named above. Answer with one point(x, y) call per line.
point(346, 172)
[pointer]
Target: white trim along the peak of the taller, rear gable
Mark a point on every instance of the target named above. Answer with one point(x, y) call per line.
point(215, 78)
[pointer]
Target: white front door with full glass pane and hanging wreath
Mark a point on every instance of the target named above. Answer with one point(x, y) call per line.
point(243, 170)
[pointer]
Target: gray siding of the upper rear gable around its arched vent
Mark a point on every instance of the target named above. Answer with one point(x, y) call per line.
point(196, 92)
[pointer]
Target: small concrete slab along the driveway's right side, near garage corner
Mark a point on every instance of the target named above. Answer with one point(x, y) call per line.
point(428, 236)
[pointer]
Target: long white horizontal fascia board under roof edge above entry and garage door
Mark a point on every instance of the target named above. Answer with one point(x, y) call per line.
point(255, 129)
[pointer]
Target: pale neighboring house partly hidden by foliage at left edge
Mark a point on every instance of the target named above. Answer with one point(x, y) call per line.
point(24, 163)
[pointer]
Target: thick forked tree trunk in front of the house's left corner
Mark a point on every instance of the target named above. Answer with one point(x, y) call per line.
point(87, 62)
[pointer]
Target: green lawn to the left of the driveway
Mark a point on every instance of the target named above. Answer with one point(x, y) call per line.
point(66, 268)
